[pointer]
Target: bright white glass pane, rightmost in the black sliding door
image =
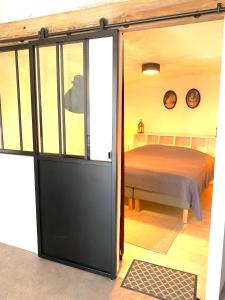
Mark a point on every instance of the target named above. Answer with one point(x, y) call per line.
point(100, 97)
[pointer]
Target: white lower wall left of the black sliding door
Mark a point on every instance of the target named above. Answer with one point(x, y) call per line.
point(17, 202)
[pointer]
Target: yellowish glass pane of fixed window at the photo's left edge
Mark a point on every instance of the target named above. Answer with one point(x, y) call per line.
point(9, 104)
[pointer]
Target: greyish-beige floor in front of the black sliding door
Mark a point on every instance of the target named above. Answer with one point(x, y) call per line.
point(24, 276)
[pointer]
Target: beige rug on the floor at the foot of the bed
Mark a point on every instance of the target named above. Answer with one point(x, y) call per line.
point(152, 229)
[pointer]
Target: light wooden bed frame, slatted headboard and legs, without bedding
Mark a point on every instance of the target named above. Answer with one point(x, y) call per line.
point(204, 144)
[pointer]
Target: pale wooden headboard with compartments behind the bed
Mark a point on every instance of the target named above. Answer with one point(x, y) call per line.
point(204, 144)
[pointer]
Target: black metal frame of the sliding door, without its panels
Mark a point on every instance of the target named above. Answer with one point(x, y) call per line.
point(62, 157)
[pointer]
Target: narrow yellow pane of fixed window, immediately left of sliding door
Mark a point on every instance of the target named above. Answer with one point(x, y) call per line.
point(25, 99)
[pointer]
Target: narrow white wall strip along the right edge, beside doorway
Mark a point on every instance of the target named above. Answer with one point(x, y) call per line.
point(216, 260)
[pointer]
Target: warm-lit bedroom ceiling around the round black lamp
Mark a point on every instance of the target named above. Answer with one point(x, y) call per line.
point(185, 49)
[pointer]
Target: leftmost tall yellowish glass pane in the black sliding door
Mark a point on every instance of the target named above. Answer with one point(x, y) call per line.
point(48, 96)
